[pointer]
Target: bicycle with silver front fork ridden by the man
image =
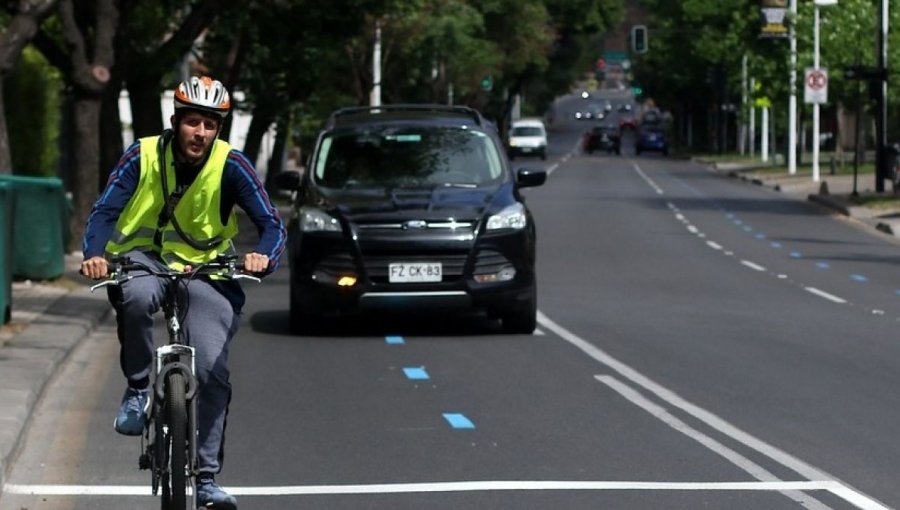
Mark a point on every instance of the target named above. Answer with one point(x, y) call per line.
point(169, 442)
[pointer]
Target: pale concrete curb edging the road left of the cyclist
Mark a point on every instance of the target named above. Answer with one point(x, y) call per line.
point(31, 359)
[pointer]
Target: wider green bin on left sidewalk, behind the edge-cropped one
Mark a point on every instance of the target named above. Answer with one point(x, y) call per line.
point(38, 230)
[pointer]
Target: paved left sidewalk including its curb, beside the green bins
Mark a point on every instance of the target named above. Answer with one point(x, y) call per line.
point(48, 320)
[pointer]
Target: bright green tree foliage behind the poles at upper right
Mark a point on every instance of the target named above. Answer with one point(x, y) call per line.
point(698, 48)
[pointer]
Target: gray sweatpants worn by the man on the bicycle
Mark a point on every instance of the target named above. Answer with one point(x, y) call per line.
point(209, 326)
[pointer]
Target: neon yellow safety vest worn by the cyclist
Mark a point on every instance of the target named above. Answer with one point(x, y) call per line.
point(197, 212)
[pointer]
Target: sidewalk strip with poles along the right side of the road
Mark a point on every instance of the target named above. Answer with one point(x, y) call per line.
point(832, 191)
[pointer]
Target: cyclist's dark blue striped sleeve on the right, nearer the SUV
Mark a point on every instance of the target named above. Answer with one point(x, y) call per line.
point(251, 196)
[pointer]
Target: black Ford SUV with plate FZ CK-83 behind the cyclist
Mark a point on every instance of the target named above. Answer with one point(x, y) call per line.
point(411, 207)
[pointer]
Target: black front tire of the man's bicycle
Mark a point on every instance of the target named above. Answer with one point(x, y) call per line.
point(177, 421)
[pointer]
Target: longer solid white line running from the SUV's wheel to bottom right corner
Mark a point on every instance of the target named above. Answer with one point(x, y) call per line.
point(785, 459)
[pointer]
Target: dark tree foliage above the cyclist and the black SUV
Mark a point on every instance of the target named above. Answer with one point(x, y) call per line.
point(294, 61)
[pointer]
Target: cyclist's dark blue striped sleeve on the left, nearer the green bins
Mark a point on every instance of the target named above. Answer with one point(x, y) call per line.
point(120, 186)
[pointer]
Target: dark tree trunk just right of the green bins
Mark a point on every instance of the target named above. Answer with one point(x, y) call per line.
point(87, 162)
